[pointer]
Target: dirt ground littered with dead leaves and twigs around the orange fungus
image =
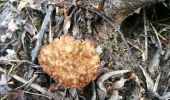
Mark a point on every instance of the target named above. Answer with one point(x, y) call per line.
point(134, 56)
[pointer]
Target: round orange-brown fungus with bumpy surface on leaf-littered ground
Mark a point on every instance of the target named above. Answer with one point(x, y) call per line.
point(71, 62)
